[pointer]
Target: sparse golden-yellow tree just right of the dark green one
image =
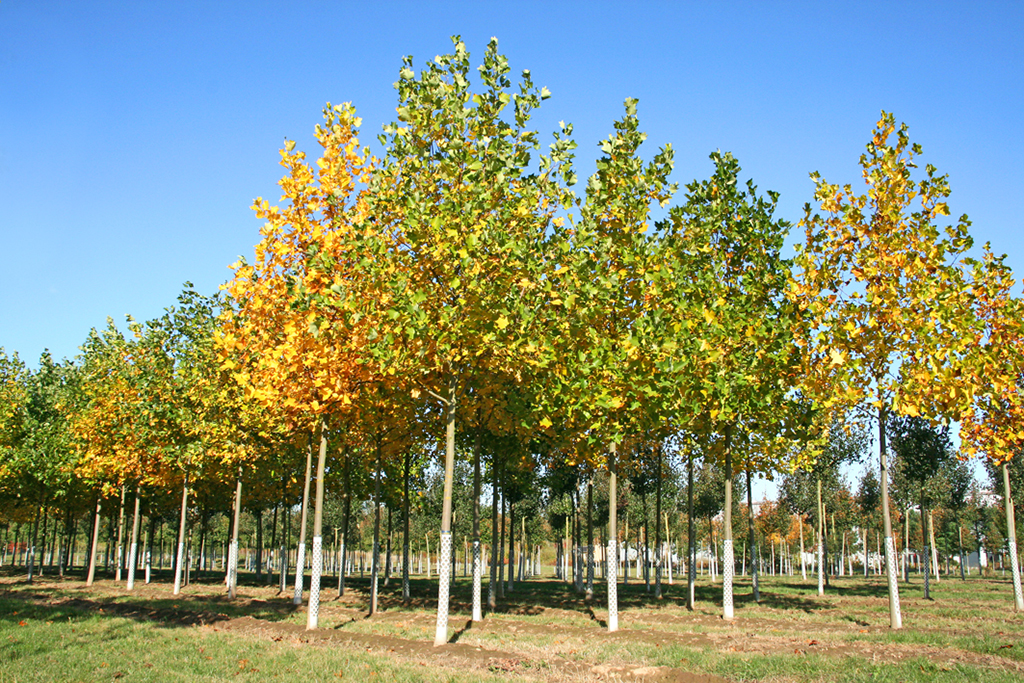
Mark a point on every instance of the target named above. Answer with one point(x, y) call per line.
point(879, 285)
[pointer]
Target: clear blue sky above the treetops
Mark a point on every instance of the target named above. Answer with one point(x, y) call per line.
point(135, 137)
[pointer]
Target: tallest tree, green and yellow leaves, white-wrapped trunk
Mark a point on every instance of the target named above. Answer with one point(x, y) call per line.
point(455, 219)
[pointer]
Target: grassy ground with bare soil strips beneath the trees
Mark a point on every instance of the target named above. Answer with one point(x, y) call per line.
point(56, 630)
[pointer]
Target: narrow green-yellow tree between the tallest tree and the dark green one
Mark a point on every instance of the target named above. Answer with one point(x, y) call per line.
point(600, 284)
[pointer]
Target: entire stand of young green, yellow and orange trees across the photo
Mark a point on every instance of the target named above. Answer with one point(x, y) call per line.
point(460, 285)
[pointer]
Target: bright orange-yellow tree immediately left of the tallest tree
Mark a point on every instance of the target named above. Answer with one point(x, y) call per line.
point(283, 344)
